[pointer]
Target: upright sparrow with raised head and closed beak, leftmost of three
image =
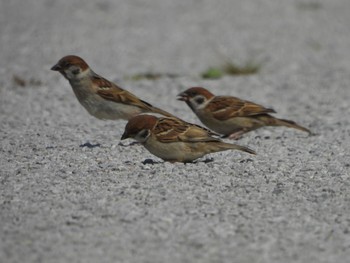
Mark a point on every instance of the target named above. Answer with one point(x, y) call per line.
point(100, 97)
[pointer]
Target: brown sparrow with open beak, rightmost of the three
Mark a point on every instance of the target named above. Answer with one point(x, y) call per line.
point(231, 116)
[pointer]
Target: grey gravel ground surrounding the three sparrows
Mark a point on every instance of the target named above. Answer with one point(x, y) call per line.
point(62, 202)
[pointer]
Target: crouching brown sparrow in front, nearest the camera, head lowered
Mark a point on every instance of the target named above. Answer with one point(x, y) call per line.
point(175, 140)
